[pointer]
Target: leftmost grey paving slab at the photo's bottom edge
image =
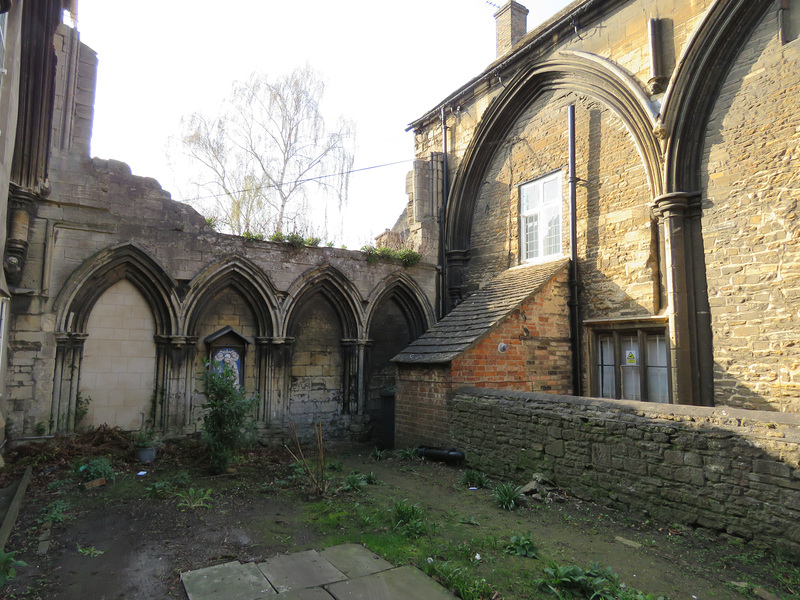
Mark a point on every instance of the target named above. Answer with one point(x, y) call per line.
point(231, 581)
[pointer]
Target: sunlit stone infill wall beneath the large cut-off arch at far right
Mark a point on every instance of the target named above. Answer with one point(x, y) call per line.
point(750, 223)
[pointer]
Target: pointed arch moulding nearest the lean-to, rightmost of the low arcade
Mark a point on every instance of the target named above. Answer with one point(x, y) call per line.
point(403, 290)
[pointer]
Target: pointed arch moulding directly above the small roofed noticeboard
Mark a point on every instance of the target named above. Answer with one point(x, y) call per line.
point(246, 278)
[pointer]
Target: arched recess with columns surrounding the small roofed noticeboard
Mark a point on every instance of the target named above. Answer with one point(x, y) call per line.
point(232, 292)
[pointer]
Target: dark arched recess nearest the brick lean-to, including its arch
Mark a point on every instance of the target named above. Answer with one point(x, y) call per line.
point(398, 313)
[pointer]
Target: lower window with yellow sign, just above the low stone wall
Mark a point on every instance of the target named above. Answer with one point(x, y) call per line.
point(632, 365)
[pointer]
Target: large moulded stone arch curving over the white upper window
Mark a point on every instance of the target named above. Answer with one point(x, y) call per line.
point(579, 72)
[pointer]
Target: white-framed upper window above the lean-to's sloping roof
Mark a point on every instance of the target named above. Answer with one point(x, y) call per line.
point(540, 218)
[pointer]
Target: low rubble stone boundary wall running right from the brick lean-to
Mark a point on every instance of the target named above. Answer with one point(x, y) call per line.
point(724, 470)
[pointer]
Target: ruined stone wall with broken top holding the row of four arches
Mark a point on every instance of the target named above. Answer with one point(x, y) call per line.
point(210, 280)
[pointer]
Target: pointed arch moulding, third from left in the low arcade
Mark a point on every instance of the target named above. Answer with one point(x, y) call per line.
point(336, 289)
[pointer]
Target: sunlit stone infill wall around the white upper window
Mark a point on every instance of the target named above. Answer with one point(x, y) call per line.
point(616, 245)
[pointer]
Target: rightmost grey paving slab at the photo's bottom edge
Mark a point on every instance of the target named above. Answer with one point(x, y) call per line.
point(402, 583)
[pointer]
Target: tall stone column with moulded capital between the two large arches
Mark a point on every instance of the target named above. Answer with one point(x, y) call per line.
point(672, 210)
